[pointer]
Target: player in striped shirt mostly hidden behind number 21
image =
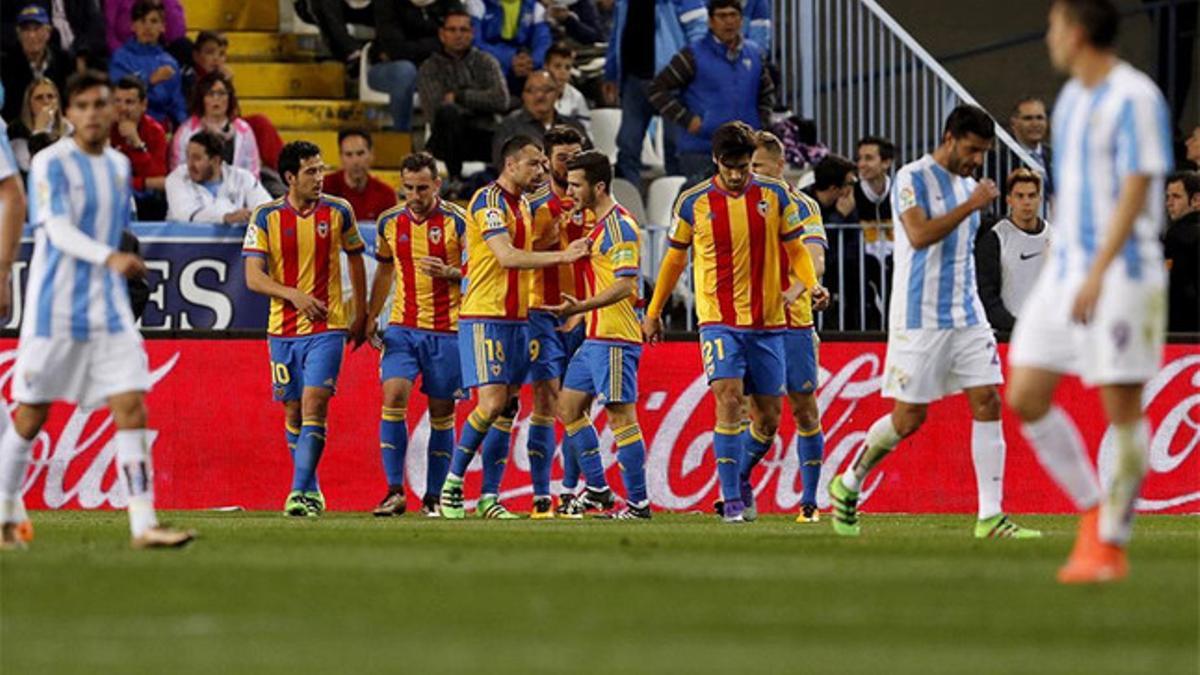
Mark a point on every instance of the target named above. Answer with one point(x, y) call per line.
point(801, 339)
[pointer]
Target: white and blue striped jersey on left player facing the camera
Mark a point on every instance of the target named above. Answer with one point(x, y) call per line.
point(68, 297)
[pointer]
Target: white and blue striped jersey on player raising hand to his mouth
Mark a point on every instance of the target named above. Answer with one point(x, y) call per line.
point(934, 288)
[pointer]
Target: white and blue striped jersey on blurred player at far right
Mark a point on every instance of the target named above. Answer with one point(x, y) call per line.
point(1103, 135)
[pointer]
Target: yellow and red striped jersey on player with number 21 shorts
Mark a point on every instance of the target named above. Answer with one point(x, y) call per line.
point(737, 241)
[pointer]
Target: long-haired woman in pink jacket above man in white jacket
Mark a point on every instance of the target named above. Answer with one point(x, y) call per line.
point(214, 109)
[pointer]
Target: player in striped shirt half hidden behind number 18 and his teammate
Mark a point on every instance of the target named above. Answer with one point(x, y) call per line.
point(550, 347)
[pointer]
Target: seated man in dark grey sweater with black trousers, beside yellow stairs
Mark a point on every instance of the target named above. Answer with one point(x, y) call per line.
point(463, 89)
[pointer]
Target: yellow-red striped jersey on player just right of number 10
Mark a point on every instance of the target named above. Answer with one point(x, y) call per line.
point(422, 301)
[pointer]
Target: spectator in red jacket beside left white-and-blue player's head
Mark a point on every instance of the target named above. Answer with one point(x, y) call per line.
point(145, 142)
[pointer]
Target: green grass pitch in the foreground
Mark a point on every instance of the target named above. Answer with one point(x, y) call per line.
point(260, 594)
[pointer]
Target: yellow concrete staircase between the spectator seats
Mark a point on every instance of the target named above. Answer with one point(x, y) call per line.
point(278, 75)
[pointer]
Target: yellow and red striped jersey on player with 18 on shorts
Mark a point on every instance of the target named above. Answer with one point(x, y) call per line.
point(493, 291)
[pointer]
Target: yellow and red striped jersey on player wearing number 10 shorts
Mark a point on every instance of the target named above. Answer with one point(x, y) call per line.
point(304, 250)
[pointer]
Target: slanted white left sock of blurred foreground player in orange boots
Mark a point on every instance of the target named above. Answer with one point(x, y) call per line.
point(1060, 449)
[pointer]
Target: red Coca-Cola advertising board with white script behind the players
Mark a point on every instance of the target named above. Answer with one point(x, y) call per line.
point(219, 439)
